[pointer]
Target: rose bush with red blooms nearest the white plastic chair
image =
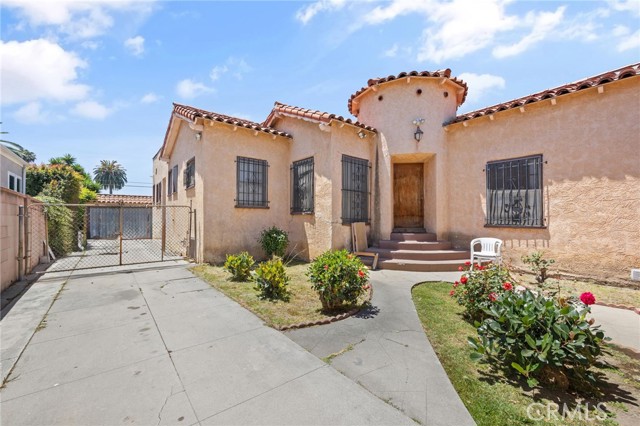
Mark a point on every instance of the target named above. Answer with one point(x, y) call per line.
point(478, 287)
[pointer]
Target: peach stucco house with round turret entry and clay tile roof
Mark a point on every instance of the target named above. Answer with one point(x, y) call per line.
point(557, 171)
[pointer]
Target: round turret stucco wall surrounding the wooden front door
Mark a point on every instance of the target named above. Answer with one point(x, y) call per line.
point(393, 116)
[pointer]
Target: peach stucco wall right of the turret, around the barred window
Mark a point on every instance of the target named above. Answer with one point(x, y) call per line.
point(590, 143)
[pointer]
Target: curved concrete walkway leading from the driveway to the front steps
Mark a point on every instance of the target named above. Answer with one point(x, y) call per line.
point(386, 351)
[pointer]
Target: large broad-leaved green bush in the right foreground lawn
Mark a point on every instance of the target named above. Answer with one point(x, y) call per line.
point(542, 338)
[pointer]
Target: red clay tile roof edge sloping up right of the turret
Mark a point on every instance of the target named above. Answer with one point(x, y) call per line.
point(598, 80)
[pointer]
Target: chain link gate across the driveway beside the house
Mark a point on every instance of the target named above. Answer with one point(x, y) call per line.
point(83, 236)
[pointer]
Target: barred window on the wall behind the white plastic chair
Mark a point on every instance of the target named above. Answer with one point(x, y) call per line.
point(514, 192)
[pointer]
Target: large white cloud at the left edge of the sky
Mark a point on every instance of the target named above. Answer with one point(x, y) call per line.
point(39, 69)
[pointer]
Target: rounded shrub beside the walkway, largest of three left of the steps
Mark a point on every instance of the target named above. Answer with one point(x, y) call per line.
point(338, 277)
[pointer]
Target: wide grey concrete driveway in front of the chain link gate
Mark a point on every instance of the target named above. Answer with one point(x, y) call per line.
point(156, 345)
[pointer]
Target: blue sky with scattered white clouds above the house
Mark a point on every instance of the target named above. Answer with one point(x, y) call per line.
point(96, 79)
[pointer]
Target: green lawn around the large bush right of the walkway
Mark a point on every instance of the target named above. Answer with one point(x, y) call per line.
point(494, 397)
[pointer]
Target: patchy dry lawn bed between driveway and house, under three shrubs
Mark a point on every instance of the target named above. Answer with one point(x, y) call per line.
point(303, 306)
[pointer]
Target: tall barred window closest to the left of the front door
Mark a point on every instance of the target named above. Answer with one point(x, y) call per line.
point(355, 189)
